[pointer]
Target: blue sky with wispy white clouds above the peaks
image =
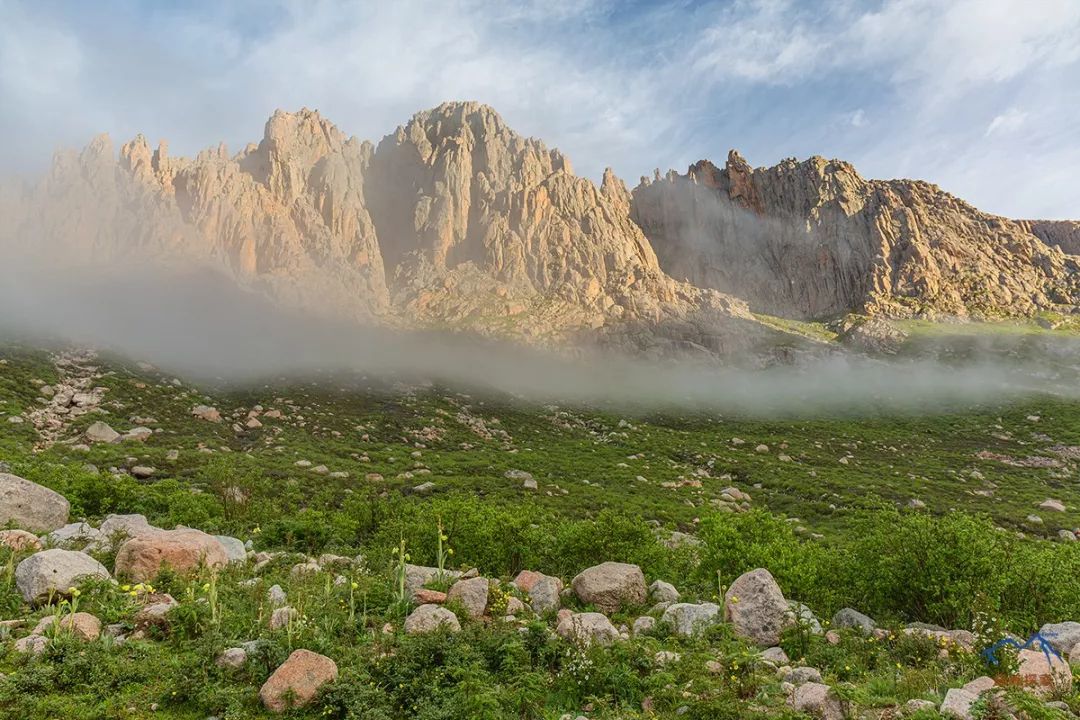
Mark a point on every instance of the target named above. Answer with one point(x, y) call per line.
point(980, 97)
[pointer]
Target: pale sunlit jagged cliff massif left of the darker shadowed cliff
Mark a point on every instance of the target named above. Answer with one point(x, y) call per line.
point(454, 221)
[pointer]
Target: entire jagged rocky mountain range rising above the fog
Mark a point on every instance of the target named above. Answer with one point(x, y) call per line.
point(456, 222)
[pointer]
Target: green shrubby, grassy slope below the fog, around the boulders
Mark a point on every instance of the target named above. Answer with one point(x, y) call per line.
point(343, 471)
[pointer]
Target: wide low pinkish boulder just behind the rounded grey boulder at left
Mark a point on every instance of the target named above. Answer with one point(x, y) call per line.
point(184, 551)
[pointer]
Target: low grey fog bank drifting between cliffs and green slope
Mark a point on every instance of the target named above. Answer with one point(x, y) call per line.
point(201, 327)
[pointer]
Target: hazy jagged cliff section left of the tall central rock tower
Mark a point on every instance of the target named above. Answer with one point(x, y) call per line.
point(286, 219)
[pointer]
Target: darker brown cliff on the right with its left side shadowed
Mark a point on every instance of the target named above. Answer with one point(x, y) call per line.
point(816, 240)
